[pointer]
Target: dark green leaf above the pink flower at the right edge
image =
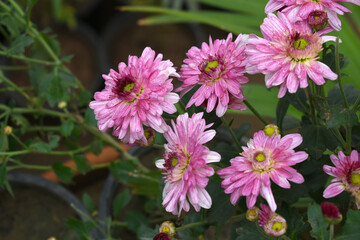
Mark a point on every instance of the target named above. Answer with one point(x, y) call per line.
point(339, 116)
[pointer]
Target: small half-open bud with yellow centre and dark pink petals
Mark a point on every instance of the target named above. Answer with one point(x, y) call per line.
point(272, 223)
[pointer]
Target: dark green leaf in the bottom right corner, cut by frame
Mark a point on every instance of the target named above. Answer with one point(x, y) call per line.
point(351, 229)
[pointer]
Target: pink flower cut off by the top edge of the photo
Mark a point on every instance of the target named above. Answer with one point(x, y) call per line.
point(299, 10)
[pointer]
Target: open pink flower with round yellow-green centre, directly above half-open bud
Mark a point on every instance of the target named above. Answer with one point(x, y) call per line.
point(263, 159)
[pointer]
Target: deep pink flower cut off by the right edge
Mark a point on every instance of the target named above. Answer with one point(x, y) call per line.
point(346, 173)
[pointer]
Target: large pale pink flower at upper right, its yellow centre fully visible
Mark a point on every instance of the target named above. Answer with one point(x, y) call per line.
point(287, 54)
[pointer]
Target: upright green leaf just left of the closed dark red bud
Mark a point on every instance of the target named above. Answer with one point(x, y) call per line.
point(317, 222)
